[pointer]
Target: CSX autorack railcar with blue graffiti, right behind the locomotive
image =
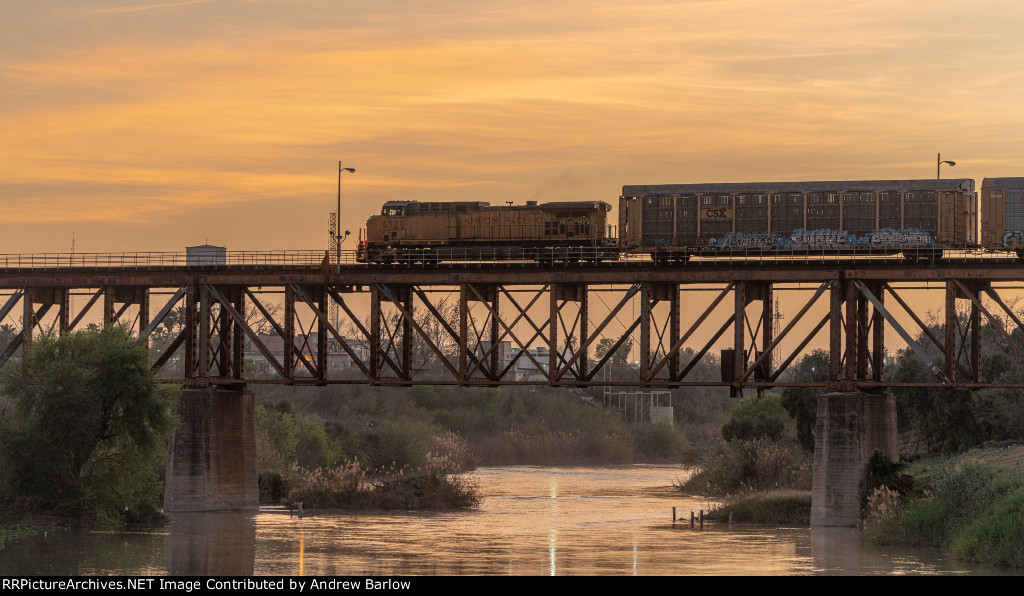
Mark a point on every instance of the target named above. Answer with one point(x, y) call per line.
point(919, 219)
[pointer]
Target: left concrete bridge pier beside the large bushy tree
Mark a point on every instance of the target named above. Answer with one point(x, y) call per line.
point(211, 464)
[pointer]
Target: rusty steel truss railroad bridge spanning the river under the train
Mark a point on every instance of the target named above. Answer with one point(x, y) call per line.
point(390, 321)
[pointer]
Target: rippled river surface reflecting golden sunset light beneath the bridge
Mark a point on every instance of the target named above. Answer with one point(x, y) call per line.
point(533, 522)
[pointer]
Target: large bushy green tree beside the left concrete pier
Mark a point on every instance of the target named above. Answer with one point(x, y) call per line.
point(86, 435)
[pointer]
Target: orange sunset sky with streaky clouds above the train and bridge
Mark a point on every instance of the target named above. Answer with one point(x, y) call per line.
point(151, 126)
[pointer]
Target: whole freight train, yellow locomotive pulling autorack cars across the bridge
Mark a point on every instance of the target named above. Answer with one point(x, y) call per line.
point(672, 223)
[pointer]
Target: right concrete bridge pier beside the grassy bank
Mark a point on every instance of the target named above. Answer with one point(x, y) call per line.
point(850, 428)
